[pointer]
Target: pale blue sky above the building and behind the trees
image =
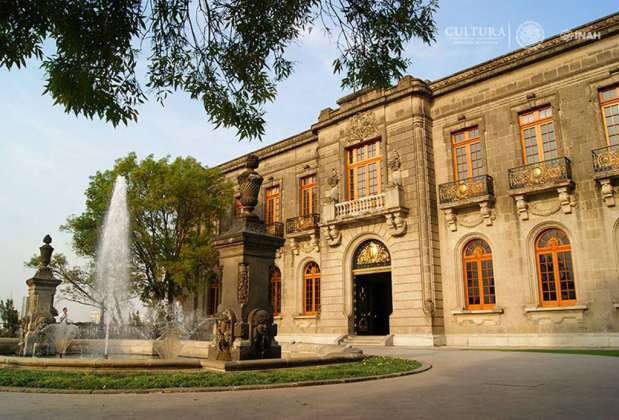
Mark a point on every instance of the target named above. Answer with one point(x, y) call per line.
point(47, 156)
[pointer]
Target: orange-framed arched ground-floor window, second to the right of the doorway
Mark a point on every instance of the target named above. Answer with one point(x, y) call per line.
point(554, 268)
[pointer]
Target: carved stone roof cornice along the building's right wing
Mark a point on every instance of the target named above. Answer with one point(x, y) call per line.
point(557, 44)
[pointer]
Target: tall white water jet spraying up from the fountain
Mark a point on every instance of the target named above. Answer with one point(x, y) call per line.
point(112, 264)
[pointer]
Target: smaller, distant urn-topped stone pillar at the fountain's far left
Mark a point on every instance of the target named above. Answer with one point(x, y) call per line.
point(40, 304)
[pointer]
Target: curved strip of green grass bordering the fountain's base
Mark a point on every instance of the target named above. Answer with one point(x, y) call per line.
point(52, 379)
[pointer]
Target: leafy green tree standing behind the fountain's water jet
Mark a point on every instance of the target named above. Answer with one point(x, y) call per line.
point(173, 207)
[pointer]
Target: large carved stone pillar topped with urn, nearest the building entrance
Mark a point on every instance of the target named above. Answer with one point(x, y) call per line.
point(244, 329)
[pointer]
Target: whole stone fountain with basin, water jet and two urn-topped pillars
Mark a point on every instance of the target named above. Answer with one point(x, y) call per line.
point(243, 331)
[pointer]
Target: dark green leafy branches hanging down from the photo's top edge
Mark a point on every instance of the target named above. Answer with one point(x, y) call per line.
point(228, 54)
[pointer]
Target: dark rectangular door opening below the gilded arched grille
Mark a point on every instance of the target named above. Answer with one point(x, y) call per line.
point(372, 302)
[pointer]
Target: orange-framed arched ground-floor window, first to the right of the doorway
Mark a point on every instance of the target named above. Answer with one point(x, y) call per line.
point(478, 275)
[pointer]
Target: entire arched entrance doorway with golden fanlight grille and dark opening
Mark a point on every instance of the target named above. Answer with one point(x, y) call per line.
point(372, 302)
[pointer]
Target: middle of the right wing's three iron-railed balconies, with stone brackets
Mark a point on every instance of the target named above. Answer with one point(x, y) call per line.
point(542, 177)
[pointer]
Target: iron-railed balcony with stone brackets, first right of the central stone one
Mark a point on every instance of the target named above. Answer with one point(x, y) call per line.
point(476, 191)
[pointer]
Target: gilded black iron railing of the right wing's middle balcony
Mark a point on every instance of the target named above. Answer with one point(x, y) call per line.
point(540, 173)
